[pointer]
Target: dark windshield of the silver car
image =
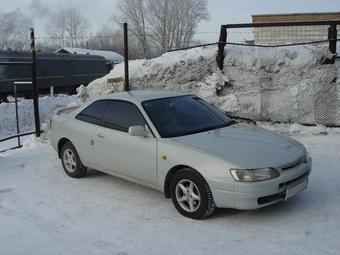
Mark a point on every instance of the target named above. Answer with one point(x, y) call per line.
point(184, 115)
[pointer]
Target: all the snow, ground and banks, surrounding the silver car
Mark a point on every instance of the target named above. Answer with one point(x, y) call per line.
point(43, 211)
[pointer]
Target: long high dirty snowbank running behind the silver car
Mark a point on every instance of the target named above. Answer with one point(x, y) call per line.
point(288, 84)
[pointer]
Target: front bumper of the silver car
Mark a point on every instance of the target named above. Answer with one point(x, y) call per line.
point(253, 195)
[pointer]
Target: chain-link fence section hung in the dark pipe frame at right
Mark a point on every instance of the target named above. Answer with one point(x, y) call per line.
point(287, 72)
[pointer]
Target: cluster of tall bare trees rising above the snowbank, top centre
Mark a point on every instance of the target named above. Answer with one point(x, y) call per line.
point(163, 24)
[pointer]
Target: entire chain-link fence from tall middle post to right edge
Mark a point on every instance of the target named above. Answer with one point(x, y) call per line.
point(284, 72)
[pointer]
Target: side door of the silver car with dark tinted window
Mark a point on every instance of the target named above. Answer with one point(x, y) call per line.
point(118, 152)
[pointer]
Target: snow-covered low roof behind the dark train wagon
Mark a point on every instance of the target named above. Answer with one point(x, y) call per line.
point(108, 55)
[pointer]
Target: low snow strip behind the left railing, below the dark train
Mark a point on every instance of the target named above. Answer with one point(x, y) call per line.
point(26, 113)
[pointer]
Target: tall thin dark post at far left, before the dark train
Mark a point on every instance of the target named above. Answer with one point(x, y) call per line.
point(34, 86)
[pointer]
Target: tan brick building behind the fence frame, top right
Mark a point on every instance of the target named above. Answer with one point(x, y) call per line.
point(297, 34)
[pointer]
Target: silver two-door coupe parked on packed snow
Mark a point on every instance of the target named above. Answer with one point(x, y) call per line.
point(181, 145)
